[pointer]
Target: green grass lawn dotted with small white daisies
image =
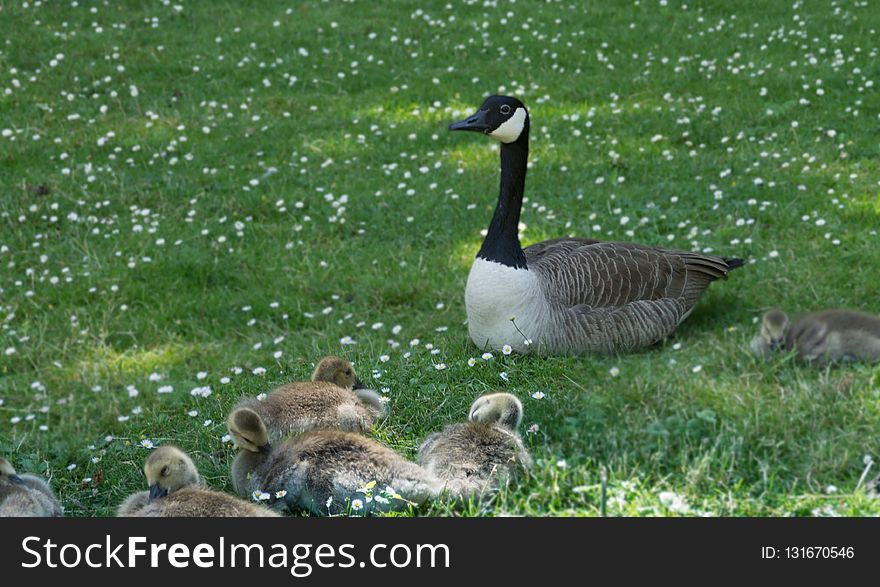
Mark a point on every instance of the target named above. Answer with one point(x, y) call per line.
point(199, 200)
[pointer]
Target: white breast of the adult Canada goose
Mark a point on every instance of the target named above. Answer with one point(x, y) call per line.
point(496, 293)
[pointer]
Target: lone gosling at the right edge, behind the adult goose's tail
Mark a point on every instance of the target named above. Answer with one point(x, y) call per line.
point(828, 336)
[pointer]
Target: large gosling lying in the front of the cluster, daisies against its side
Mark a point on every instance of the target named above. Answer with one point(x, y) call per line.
point(325, 471)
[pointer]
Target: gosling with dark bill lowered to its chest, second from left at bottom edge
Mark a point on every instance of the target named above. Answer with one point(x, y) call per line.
point(176, 491)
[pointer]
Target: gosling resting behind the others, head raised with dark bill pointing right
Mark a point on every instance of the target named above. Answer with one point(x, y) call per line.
point(334, 398)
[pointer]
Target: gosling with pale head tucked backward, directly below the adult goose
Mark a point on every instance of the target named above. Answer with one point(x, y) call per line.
point(477, 456)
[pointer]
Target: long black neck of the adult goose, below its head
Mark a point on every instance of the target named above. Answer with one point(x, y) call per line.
point(502, 240)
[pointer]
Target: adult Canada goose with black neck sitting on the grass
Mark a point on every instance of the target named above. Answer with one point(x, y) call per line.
point(570, 295)
